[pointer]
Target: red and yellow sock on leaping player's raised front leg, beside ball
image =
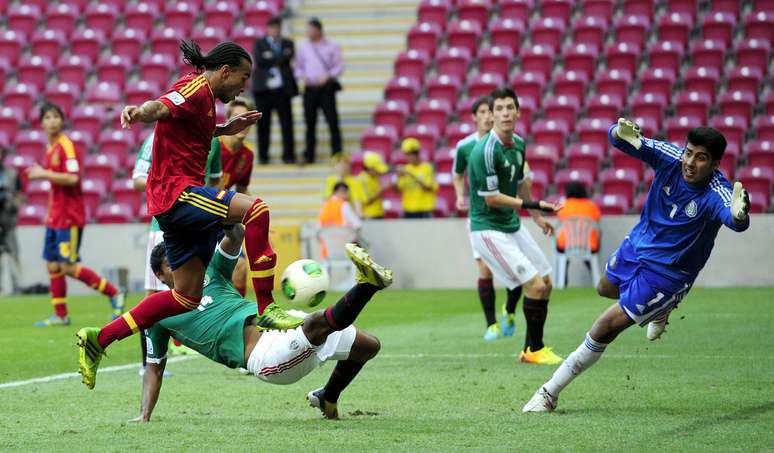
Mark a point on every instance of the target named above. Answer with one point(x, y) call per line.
point(261, 258)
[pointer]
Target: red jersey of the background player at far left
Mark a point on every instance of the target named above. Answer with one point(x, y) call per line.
point(65, 203)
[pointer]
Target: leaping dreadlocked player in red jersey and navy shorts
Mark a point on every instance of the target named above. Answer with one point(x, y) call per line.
point(193, 216)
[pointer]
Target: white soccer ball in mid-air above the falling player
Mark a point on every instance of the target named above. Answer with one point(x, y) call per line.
point(305, 283)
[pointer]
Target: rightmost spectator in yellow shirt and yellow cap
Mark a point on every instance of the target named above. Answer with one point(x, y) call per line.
point(416, 182)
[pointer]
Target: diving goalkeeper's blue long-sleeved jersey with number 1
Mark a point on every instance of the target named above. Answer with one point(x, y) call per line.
point(679, 223)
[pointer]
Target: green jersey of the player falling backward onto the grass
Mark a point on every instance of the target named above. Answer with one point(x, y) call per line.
point(216, 328)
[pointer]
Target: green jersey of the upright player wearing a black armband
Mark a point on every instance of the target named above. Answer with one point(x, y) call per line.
point(495, 168)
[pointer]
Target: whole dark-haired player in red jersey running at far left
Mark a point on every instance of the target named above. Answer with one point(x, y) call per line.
point(65, 220)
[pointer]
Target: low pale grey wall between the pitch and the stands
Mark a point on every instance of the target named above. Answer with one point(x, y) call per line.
point(425, 254)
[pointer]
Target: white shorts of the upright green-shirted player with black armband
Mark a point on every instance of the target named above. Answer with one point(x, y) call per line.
point(514, 258)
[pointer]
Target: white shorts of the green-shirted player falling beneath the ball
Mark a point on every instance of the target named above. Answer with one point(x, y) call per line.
point(285, 357)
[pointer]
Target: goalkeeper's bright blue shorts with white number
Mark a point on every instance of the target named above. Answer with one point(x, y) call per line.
point(645, 294)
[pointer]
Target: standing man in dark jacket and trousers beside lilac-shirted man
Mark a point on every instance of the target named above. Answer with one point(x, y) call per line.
point(273, 87)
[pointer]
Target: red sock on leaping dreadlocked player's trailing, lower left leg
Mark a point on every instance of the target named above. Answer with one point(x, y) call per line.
point(150, 310)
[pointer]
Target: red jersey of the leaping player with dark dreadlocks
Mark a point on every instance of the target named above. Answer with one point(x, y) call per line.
point(181, 143)
